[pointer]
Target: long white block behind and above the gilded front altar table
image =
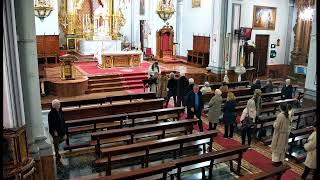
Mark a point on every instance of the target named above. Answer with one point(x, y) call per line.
point(91, 47)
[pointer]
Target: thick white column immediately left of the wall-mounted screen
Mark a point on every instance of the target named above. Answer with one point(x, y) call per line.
point(217, 36)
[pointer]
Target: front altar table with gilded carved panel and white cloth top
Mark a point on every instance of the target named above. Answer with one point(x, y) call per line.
point(120, 59)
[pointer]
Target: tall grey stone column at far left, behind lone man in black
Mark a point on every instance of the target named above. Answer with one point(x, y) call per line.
point(25, 26)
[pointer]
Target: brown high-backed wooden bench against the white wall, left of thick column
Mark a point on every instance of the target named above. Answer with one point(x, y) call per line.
point(200, 53)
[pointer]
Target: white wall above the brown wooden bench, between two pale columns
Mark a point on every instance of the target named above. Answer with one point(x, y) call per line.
point(195, 21)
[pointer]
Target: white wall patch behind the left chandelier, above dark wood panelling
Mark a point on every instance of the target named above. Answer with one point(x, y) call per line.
point(50, 25)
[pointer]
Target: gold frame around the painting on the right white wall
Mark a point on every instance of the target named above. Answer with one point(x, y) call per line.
point(274, 14)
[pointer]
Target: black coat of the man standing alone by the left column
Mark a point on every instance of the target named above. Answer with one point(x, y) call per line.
point(56, 122)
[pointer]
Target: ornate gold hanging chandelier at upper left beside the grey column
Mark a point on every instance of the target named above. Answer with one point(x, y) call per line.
point(42, 8)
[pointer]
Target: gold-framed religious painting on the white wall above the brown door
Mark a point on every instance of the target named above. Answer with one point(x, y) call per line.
point(264, 18)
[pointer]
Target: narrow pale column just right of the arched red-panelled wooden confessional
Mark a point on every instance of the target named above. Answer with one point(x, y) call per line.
point(179, 25)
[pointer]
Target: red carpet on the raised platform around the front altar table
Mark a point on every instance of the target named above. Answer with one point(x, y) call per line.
point(91, 69)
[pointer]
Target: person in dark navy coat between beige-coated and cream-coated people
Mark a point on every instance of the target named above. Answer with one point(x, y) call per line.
point(229, 115)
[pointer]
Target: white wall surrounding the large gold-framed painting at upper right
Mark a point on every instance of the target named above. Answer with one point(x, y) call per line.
point(280, 27)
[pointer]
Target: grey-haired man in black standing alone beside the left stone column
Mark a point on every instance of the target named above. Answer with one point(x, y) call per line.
point(57, 128)
